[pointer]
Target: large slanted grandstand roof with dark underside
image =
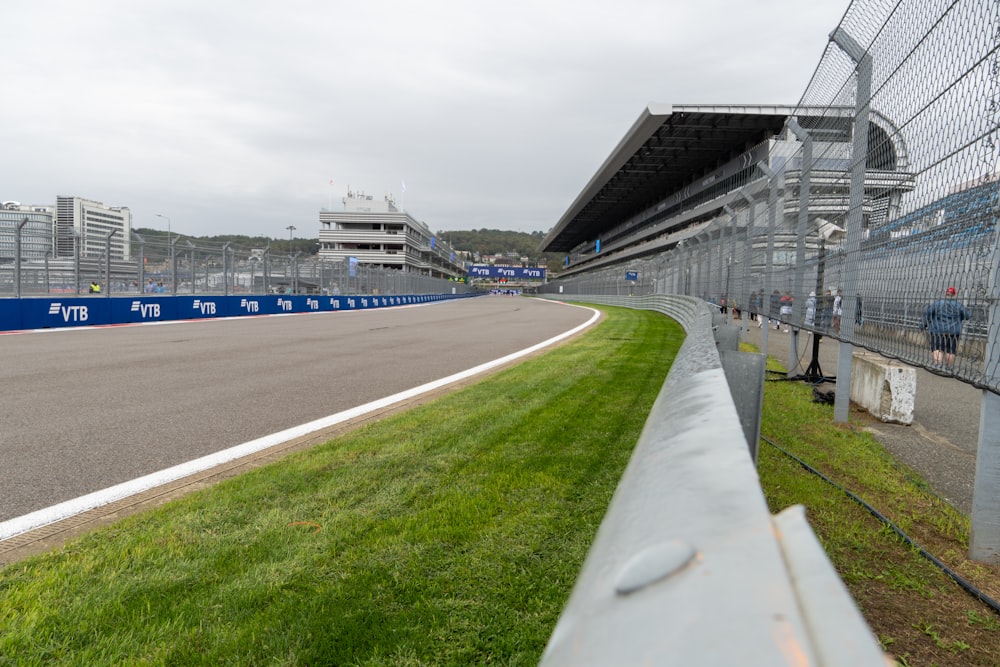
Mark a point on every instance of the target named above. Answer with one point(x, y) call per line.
point(668, 148)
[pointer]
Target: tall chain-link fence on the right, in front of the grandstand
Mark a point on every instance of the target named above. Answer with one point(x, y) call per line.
point(873, 219)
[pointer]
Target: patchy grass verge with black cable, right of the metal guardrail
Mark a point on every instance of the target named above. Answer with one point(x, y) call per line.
point(916, 612)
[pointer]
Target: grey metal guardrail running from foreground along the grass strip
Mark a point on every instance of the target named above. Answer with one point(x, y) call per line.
point(688, 566)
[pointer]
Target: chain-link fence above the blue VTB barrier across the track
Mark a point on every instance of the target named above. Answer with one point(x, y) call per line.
point(185, 266)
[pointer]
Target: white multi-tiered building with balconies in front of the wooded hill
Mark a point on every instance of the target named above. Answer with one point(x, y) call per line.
point(376, 232)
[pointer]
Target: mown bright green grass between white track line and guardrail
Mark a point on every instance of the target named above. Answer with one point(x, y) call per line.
point(448, 535)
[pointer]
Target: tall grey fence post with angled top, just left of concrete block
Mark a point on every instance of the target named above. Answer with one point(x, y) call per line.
point(855, 220)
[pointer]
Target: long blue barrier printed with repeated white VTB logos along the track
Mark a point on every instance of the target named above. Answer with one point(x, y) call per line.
point(49, 312)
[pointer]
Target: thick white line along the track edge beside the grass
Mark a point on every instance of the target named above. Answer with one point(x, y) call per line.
point(69, 508)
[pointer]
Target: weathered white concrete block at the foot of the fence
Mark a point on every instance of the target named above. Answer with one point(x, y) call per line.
point(885, 389)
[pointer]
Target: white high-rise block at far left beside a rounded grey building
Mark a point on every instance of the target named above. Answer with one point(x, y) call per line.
point(91, 222)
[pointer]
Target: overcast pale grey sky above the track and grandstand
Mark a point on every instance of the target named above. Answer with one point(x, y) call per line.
point(233, 116)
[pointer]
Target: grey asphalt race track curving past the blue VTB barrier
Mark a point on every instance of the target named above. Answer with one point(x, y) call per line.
point(85, 409)
